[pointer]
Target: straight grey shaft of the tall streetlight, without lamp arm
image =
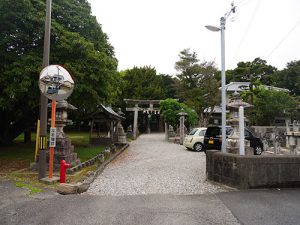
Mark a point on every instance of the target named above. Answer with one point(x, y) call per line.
point(222, 27)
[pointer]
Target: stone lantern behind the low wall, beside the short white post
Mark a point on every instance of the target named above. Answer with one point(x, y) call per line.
point(233, 138)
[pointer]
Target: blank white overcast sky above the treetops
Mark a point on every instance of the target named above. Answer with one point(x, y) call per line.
point(153, 32)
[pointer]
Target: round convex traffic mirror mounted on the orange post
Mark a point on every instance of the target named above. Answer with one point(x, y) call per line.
point(56, 83)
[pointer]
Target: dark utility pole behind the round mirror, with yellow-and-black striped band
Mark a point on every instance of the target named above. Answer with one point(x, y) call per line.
point(43, 99)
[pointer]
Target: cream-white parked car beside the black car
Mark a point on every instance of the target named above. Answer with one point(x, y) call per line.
point(195, 139)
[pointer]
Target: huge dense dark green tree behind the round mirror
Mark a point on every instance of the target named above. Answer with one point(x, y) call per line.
point(77, 42)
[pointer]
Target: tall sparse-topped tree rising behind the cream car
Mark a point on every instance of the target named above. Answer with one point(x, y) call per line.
point(198, 86)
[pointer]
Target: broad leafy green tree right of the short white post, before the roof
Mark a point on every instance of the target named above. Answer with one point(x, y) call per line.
point(269, 104)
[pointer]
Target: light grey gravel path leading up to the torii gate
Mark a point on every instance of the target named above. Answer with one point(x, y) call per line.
point(153, 166)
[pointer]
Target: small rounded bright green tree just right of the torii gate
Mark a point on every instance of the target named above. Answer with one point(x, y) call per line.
point(170, 108)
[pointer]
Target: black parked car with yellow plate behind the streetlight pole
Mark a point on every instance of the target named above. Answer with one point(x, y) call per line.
point(213, 139)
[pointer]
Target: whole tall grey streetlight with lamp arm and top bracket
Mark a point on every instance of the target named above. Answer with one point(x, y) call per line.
point(223, 77)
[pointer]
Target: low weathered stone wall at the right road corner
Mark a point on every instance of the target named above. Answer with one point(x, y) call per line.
point(245, 172)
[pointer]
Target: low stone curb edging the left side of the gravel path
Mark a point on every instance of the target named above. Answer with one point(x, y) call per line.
point(69, 188)
